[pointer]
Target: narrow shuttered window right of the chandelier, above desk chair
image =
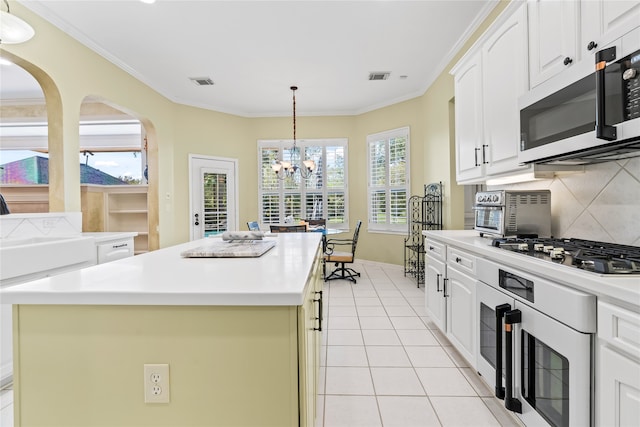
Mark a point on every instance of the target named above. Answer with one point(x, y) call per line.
point(388, 185)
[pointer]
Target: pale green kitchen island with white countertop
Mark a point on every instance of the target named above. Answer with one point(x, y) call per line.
point(237, 333)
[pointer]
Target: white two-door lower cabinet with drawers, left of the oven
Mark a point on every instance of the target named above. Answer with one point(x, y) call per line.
point(450, 295)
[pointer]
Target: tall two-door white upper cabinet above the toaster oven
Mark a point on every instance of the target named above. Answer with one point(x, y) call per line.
point(488, 82)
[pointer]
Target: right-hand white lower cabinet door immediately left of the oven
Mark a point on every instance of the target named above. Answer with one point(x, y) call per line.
point(461, 309)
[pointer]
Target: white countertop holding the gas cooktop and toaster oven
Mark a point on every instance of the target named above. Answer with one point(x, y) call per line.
point(619, 289)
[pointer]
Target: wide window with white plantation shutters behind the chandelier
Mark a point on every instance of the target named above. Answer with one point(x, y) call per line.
point(322, 195)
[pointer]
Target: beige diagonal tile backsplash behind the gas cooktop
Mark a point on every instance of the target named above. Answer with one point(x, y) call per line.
point(603, 203)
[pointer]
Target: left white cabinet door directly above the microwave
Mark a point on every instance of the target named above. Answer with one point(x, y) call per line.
point(553, 27)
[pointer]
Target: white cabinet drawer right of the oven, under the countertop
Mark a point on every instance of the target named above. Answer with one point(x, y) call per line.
point(619, 327)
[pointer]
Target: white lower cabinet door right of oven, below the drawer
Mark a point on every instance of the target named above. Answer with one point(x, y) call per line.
point(618, 389)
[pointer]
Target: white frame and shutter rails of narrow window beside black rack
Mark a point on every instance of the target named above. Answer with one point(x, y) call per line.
point(387, 226)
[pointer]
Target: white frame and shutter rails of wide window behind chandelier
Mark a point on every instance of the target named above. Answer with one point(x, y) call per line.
point(283, 192)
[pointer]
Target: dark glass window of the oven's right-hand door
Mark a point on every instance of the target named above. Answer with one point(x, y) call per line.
point(545, 380)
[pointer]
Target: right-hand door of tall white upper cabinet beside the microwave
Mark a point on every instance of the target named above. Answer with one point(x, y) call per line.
point(504, 80)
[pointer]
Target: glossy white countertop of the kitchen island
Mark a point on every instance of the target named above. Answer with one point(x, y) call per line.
point(163, 277)
